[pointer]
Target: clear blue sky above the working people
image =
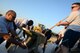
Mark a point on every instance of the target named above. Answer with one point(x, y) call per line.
point(47, 12)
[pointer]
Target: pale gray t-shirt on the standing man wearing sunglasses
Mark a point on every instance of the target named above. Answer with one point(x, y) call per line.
point(74, 20)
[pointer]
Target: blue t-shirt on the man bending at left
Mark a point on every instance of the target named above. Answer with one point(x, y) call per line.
point(5, 26)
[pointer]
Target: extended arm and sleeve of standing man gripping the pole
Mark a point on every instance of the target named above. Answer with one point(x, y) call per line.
point(69, 20)
